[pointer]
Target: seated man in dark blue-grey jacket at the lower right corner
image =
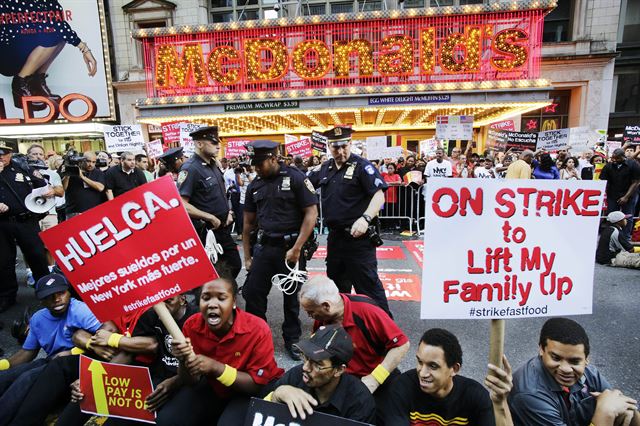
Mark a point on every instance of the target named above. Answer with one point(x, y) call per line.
point(559, 387)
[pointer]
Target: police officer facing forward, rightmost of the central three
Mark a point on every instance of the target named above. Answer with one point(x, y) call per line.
point(352, 195)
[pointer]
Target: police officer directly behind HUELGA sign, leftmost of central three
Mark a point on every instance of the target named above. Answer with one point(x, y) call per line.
point(202, 189)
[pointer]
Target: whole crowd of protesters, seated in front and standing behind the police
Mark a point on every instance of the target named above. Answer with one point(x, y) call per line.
point(350, 364)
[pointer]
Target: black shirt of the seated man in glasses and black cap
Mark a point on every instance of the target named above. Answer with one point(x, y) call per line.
point(350, 400)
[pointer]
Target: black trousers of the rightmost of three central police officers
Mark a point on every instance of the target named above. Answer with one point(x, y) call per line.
point(352, 262)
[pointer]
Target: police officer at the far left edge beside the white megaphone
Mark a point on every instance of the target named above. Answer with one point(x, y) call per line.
point(18, 225)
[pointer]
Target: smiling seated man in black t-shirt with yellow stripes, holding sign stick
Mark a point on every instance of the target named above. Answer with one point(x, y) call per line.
point(435, 392)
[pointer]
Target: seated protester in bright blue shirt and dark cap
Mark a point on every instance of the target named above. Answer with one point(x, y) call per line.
point(50, 329)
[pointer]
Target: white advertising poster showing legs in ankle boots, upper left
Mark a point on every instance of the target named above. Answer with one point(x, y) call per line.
point(70, 74)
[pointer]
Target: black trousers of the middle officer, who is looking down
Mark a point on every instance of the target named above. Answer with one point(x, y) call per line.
point(268, 260)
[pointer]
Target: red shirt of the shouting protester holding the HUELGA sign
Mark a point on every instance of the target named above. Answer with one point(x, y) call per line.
point(248, 347)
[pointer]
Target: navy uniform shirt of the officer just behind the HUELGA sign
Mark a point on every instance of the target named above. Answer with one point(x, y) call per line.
point(203, 184)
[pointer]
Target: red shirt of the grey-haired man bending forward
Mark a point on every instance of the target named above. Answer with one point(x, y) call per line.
point(382, 330)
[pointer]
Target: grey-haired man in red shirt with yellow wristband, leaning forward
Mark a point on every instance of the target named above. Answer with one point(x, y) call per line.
point(380, 344)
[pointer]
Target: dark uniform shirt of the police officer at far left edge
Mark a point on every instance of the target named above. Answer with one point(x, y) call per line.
point(22, 182)
